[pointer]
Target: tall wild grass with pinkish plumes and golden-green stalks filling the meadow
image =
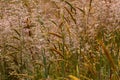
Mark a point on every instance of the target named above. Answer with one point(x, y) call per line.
point(70, 43)
